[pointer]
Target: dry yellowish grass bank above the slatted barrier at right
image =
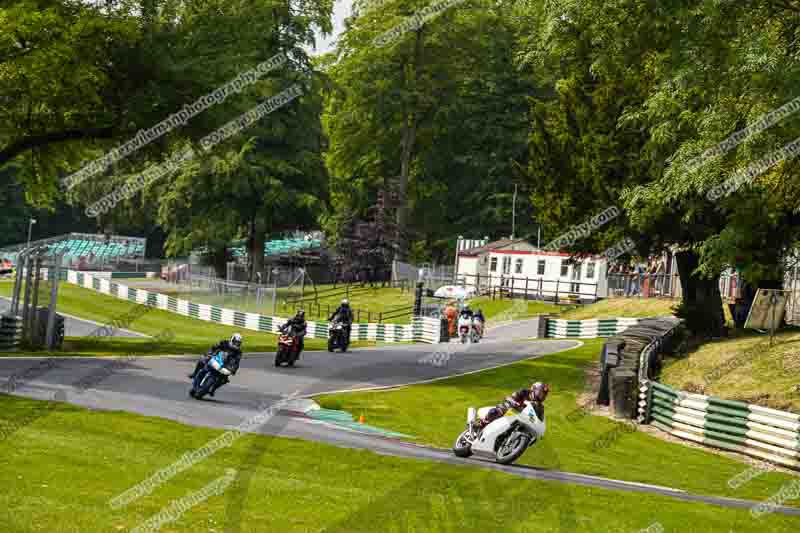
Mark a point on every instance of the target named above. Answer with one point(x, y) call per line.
point(743, 367)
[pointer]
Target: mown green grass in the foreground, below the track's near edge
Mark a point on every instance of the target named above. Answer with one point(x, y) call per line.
point(60, 471)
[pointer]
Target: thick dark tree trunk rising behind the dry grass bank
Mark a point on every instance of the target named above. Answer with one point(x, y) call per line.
point(702, 302)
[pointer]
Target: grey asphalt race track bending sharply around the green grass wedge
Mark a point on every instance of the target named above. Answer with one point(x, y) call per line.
point(158, 386)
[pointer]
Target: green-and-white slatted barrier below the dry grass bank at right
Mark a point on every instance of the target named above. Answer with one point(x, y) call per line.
point(760, 432)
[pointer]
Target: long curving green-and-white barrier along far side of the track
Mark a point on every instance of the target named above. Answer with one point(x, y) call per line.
point(421, 329)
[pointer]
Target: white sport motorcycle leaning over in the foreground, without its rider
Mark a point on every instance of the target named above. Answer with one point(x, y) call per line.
point(505, 439)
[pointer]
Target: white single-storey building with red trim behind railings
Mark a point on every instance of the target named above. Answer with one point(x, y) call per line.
point(521, 268)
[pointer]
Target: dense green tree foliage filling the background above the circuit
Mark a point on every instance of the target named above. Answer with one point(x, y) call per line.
point(581, 104)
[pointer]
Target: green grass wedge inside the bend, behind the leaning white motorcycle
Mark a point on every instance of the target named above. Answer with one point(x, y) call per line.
point(419, 410)
